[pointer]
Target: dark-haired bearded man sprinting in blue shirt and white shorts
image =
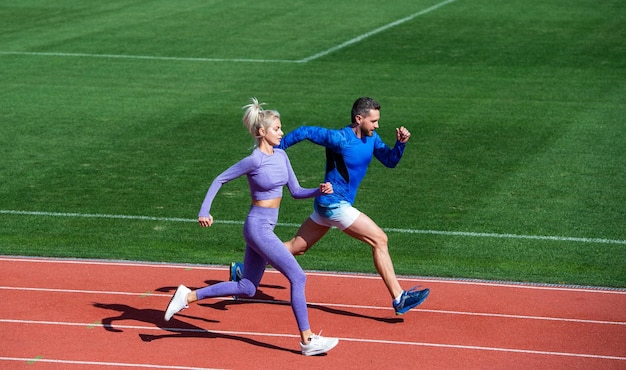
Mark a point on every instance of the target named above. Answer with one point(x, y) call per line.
point(348, 154)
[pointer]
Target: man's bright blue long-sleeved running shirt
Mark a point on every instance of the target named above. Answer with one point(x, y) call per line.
point(347, 157)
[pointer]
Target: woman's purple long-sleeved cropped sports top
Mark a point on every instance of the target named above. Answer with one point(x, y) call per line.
point(267, 174)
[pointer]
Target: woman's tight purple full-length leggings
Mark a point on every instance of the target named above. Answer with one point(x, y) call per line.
point(262, 247)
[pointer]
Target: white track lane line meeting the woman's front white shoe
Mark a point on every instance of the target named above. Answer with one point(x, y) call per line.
point(377, 341)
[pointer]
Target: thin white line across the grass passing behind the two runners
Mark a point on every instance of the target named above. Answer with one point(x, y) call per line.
point(390, 230)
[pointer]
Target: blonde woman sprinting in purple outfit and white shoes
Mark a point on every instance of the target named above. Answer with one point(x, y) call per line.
point(268, 169)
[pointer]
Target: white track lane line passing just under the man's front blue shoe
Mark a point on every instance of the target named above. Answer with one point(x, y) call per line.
point(330, 305)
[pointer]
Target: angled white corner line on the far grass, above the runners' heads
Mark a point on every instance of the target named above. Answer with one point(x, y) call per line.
point(241, 60)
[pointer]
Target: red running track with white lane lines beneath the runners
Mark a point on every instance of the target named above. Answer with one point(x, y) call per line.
point(75, 314)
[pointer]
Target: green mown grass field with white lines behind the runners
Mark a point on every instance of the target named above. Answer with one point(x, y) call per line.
point(516, 168)
